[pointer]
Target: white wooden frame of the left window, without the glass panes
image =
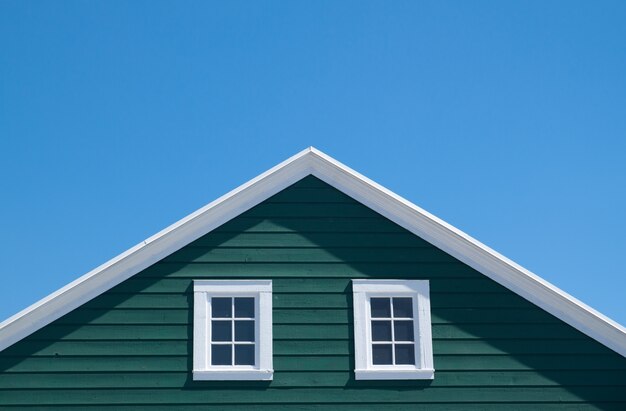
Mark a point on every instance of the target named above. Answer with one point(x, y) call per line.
point(261, 290)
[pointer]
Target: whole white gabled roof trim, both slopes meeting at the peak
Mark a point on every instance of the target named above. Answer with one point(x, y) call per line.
point(312, 161)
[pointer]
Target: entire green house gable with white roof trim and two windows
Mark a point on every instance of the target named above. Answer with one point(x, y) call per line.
point(311, 287)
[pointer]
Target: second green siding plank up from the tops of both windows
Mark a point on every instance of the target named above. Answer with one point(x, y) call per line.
point(306, 255)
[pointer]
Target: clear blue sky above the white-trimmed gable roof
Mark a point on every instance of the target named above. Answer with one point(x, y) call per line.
point(506, 119)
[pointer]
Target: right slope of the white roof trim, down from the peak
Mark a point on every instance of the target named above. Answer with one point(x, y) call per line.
point(473, 253)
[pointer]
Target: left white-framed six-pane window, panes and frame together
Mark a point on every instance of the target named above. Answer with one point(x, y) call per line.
point(232, 331)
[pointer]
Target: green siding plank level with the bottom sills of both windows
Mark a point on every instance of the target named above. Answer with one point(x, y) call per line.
point(310, 379)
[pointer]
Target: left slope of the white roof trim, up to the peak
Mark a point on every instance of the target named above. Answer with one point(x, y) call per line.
point(153, 249)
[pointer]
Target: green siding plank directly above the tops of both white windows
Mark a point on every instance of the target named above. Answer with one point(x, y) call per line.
point(309, 270)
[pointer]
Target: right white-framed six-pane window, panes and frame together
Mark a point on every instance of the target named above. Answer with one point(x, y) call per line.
point(392, 332)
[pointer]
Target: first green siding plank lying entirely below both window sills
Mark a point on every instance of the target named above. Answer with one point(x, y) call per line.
point(327, 395)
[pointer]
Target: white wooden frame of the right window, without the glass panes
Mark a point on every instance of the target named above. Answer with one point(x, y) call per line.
point(418, 290)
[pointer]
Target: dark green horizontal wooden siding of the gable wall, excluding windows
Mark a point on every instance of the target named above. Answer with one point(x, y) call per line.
point(130, 348)
